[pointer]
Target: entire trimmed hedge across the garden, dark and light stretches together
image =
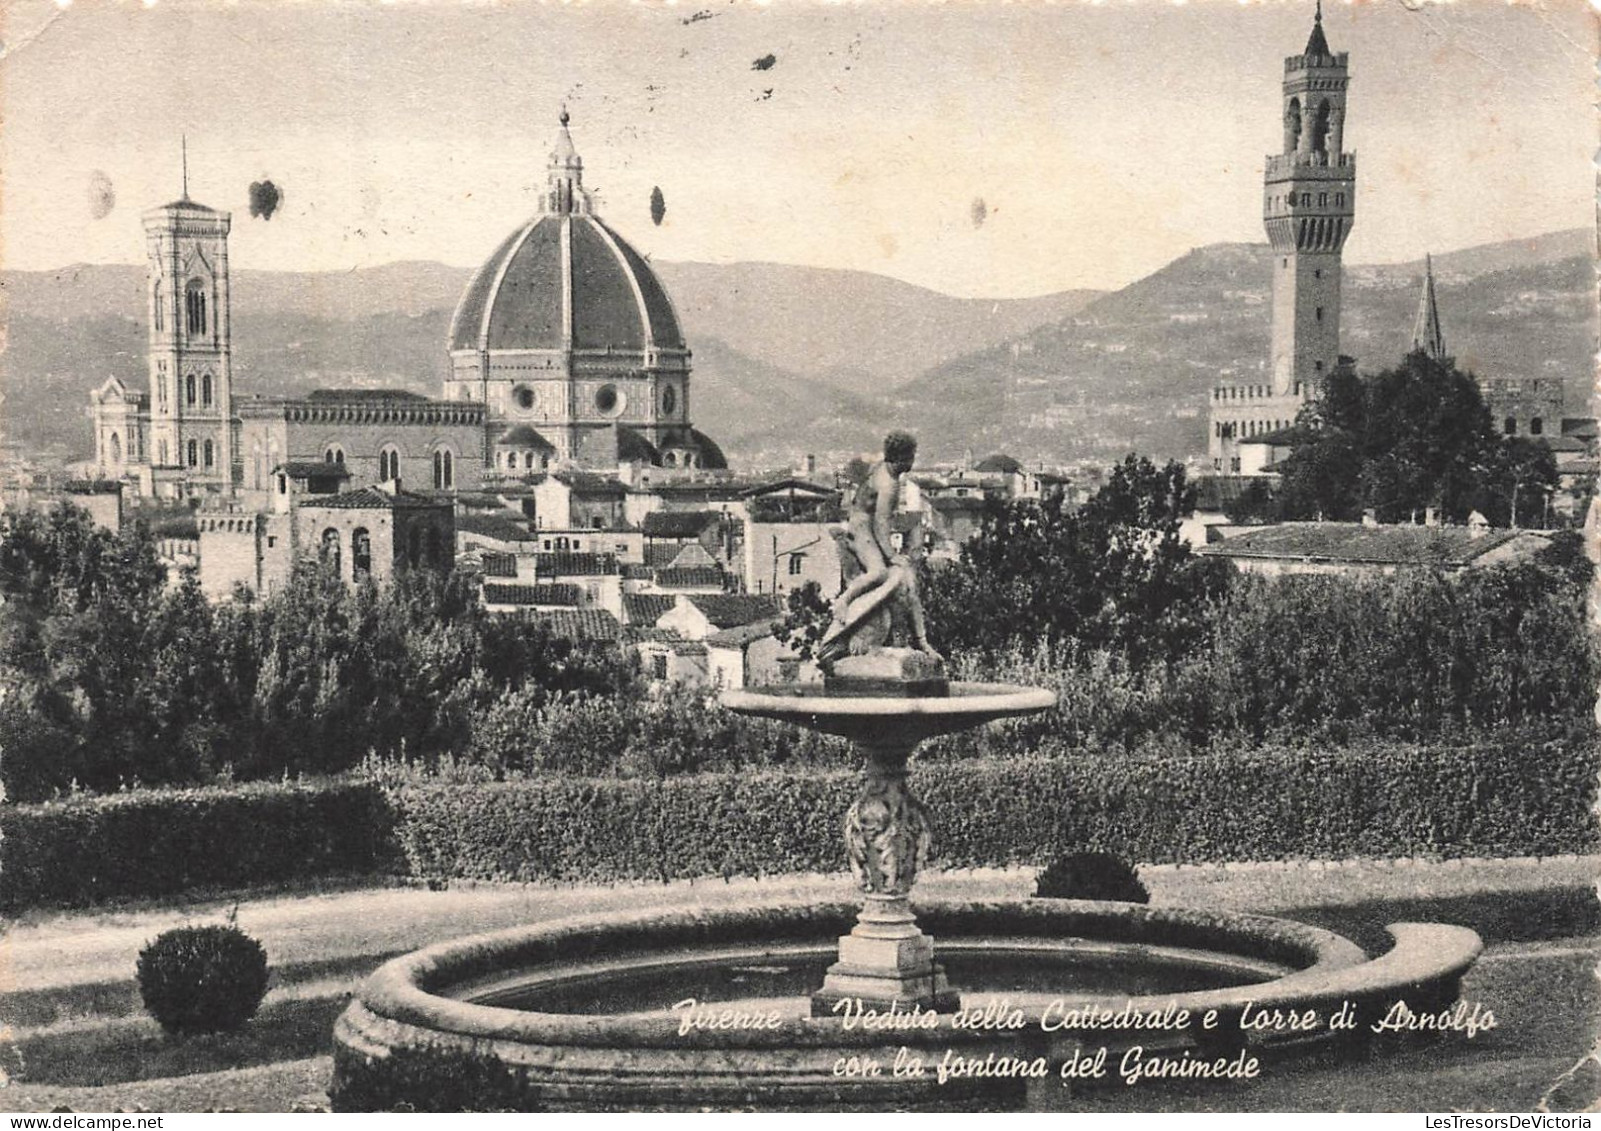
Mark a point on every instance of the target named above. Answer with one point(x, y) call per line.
point(1491, 799)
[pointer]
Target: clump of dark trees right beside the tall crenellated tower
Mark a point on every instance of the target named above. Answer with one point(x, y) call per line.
point(1411, 438)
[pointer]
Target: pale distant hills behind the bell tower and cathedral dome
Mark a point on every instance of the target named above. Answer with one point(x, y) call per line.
point(776, 347)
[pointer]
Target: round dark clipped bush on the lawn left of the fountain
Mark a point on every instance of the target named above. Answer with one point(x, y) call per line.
point(203, 980)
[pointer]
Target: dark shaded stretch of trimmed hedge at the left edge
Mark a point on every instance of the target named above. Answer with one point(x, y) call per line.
point(166, 842)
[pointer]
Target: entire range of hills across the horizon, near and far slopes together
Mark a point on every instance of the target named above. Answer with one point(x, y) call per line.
point(792, 360)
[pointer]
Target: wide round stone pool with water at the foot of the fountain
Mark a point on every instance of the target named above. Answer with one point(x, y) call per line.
point(584, 1040)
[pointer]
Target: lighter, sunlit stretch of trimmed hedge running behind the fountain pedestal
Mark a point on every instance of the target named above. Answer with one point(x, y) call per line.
point(1504, 799)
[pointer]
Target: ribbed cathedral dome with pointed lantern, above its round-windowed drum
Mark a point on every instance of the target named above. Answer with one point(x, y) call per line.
point(566, 281)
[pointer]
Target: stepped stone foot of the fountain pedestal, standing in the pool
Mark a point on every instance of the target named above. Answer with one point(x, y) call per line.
point(886, 964)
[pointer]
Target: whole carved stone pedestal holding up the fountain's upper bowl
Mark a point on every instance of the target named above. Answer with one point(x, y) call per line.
point(886, 962)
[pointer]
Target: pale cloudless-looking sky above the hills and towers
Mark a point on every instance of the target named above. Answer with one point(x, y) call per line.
point(1104, 140)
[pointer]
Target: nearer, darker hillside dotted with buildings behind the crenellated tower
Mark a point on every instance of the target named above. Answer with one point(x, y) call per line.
point(1133, 371)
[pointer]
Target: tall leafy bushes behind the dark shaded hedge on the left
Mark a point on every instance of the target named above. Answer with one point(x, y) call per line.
point(113, 678)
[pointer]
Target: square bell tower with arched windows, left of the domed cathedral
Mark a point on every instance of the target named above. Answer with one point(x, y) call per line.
point(191, 435)
